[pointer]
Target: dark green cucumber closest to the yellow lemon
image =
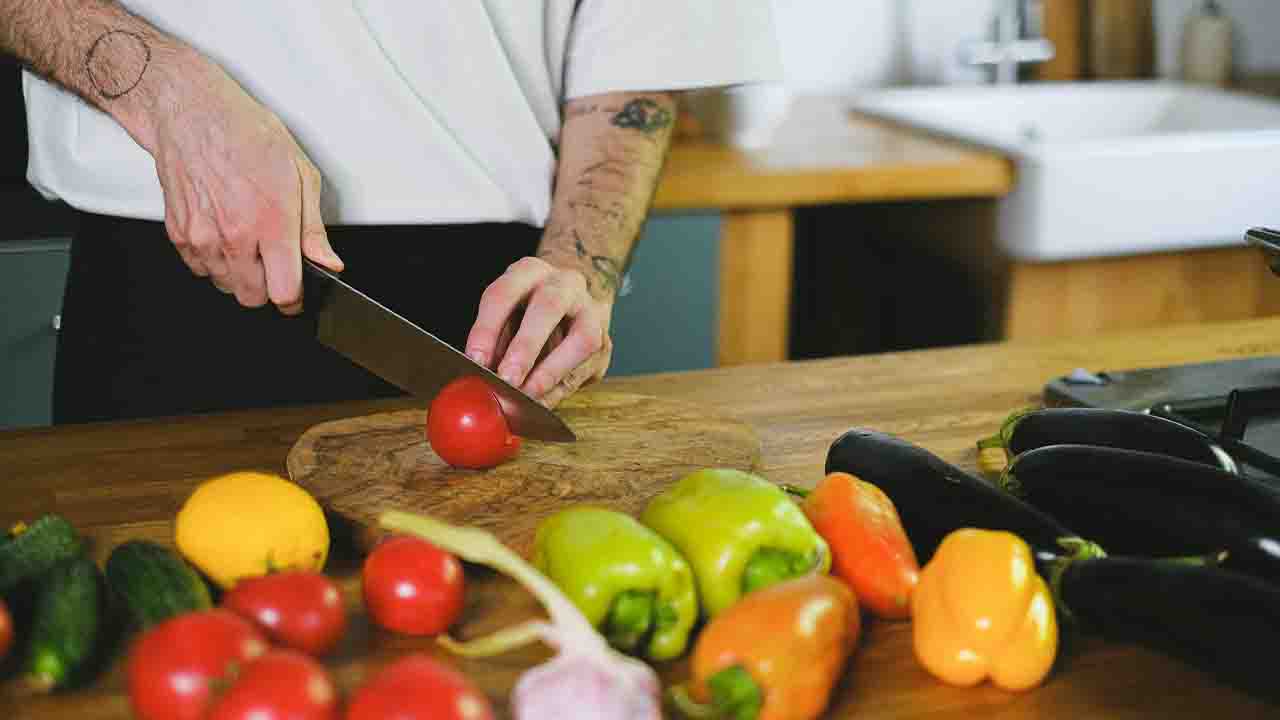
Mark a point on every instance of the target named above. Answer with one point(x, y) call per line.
point(154, 584)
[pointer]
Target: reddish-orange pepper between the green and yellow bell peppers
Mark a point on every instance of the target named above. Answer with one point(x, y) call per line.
point(870, 549)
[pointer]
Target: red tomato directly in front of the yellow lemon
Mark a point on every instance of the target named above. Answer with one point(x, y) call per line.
point(299, 609)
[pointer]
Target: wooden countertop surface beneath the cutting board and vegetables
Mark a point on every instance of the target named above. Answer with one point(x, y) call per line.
point(127, 480)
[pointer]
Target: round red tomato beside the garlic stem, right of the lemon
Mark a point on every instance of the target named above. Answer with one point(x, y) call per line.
point(413, 587)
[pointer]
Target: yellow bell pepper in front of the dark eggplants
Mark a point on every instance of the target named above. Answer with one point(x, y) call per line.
point(981, 610)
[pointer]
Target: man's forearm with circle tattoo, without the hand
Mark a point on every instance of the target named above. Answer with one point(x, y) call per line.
point(113, 60)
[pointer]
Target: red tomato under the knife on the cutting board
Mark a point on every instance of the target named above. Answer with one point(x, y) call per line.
point(467, 427)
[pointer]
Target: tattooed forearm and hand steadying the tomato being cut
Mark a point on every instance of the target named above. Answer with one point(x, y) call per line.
point(545, 325)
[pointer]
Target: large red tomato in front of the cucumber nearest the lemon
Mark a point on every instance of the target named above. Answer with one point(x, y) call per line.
point(173, 666)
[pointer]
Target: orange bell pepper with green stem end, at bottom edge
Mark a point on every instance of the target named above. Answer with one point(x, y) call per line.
point(776, 654)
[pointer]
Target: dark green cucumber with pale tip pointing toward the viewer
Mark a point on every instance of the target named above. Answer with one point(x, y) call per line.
point(67, 625)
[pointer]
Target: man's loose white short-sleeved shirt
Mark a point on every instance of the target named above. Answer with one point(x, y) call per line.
point(414, 111)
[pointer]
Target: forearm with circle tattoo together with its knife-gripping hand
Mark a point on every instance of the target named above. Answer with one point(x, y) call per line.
point(243, 202)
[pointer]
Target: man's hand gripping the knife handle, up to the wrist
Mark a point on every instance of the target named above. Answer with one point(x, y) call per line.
point(243, 200)
